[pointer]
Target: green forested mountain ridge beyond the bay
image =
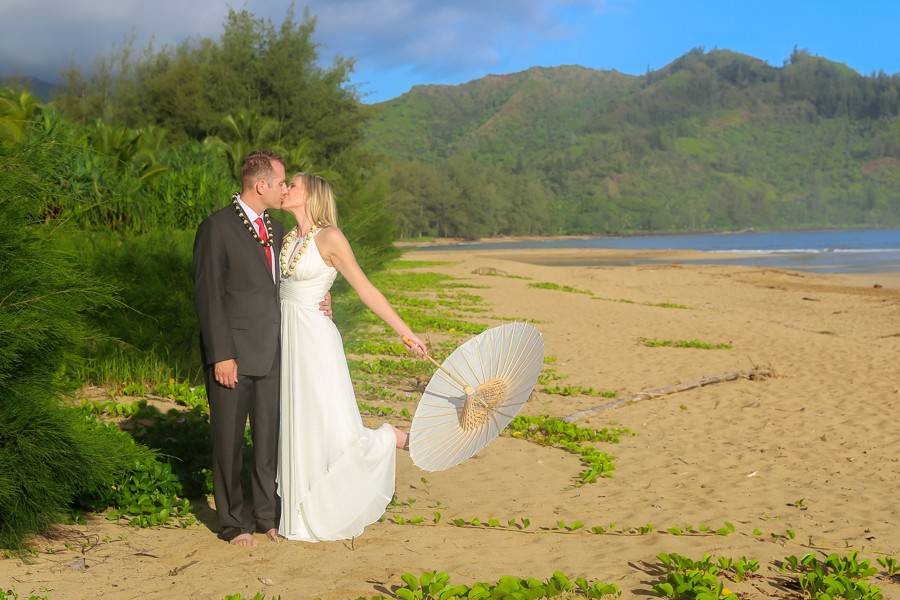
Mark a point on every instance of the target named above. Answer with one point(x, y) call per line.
point(714, 140)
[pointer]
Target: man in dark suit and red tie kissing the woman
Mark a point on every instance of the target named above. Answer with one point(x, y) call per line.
point(236, 281)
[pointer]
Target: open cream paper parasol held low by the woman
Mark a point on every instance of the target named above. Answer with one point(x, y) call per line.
point(474, 395)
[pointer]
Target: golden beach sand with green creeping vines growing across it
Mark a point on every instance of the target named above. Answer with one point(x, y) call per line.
point(824, 431)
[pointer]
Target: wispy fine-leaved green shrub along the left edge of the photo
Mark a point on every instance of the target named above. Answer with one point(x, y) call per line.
point(50, 456)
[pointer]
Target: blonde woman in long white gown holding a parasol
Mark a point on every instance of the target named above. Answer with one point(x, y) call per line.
point(335, 476)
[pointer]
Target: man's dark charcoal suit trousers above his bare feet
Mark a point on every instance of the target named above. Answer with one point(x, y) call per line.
point(257, 398)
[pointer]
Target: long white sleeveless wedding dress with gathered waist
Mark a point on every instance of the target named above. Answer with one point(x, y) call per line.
point(335, 476)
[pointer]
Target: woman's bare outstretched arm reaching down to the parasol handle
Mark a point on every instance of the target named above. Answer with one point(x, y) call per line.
point(335, 248)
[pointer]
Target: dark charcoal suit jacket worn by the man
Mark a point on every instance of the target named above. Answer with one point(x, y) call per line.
point(237, 301)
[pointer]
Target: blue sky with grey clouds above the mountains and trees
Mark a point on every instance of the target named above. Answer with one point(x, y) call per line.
point(401, 43)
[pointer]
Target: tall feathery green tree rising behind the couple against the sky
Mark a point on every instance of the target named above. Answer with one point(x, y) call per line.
point(253, 67)
